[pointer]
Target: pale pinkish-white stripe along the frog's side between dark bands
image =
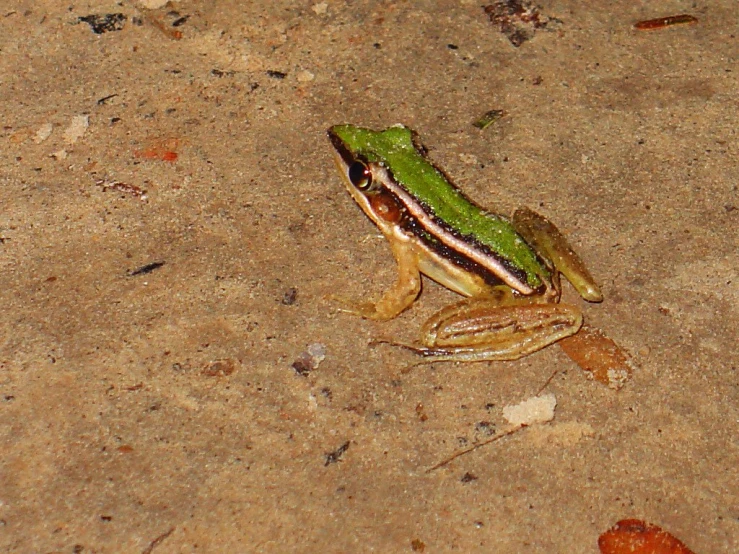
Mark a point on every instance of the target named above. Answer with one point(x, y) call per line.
point(492, 264)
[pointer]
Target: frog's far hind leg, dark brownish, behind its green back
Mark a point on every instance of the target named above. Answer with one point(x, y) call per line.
point(551, 243)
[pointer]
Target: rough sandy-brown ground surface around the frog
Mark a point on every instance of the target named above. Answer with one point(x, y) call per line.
point(176, 407)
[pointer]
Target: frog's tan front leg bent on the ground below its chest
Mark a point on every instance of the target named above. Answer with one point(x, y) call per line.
point(400, 296)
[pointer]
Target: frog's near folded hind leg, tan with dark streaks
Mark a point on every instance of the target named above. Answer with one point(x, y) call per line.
point(498, 327)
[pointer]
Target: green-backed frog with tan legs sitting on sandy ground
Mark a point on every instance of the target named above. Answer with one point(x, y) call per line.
point(508, 268)
